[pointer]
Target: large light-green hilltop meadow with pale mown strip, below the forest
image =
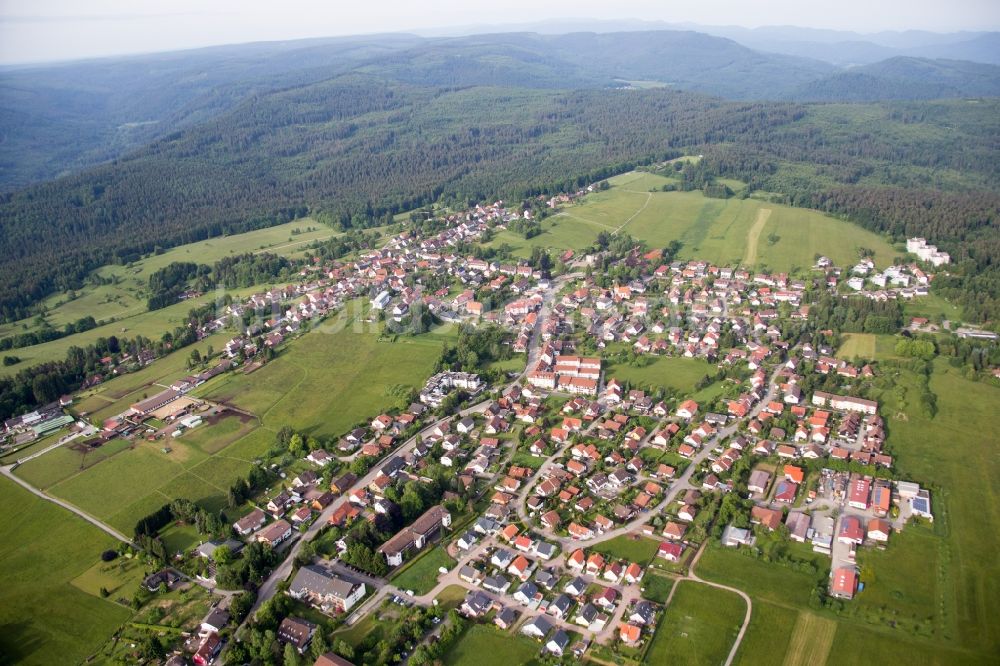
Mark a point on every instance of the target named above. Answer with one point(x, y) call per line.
point(723, 231)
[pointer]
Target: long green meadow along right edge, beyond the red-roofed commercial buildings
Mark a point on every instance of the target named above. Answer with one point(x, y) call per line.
point(967, 506)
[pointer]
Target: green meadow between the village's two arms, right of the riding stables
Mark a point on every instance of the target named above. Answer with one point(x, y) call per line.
point(330, 378)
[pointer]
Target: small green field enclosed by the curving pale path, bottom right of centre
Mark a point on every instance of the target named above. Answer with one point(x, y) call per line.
point(699, 626)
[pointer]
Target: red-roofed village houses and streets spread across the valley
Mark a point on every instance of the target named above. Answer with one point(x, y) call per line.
point(564, 458)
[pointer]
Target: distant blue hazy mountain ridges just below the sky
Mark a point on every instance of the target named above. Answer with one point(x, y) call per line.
point(59, 119)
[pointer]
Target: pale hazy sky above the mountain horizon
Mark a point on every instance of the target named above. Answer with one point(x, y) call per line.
point(39, 30)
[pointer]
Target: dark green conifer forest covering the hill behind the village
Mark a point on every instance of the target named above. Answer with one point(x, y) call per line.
point(358, 148)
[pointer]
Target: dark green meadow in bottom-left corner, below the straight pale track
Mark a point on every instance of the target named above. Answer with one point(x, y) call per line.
point(44, 619)
